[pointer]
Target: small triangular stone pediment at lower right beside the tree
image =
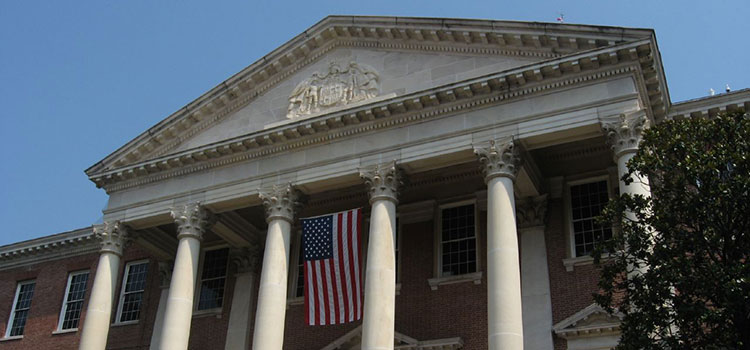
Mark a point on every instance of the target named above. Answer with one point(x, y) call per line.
point(592, 320)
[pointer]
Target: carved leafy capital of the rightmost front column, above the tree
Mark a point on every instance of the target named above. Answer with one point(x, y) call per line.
point(625, 133)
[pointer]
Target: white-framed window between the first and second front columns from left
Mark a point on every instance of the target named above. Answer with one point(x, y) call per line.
point(131, 291)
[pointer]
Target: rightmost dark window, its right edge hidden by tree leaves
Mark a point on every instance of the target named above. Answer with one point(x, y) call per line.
point(586, 203)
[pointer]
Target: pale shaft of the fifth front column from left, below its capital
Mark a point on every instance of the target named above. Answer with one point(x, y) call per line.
point(503, 270)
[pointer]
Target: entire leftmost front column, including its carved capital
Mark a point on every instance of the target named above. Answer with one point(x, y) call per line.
point(113, 237)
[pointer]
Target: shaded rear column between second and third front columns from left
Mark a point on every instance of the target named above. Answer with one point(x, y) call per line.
point(238, 333)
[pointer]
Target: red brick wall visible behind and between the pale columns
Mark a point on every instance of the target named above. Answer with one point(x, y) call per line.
point(456, 310)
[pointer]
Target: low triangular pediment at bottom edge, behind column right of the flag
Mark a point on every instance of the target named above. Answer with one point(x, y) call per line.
point(353, 339)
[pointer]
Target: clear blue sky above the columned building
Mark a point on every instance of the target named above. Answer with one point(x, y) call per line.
point(80, 78)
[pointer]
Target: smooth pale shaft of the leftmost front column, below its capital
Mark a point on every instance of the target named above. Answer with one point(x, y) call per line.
point(99, 312)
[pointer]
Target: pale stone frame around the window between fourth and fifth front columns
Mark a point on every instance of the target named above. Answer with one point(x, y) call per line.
point(439, 278)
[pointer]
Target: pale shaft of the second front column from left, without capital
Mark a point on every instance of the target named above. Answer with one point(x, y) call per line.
point(179, 313)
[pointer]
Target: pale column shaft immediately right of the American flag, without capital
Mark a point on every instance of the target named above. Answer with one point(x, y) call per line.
point(380, 279)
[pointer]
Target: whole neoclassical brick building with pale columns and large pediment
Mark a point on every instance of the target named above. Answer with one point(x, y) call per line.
point(479, 151)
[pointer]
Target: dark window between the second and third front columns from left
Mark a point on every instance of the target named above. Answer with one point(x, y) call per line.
point(213, 279)
